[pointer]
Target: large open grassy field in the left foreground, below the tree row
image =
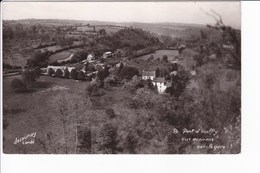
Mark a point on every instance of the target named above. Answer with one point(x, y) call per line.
point(36, 111)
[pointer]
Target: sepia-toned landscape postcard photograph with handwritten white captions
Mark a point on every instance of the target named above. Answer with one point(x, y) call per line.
point(121, 77)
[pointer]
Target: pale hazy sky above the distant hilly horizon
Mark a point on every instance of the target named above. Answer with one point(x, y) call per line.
point(180, 12)
